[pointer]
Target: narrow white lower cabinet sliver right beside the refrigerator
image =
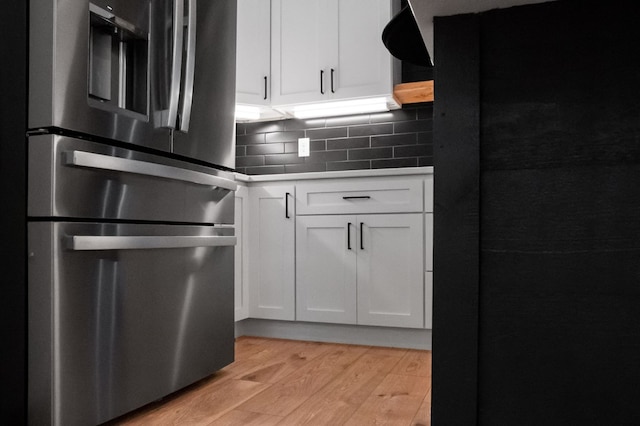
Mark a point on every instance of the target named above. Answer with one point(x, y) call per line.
point(241, 275)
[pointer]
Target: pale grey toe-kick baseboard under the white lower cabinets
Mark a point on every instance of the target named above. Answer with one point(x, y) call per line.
point(409, 338)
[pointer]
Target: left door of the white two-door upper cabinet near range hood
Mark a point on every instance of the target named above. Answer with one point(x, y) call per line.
point(300, 28)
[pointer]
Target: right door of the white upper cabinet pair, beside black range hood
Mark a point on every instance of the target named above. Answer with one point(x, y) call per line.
point(361, 65)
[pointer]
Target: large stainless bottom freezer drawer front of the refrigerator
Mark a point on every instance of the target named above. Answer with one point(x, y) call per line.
point(116, 329)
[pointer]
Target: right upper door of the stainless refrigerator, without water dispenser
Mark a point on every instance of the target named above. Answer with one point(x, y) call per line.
point(211, 128)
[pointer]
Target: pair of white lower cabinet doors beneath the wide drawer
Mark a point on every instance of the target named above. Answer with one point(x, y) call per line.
point(361, 269)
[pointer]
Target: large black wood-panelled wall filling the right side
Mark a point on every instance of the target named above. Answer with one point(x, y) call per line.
point(554, 287)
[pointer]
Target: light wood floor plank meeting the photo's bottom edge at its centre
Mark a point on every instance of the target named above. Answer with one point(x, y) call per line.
point(335, 403)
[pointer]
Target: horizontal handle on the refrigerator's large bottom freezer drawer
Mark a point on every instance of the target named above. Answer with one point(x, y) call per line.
point(84, 242)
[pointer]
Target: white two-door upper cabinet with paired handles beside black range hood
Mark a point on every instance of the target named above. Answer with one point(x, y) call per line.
point(329, 50)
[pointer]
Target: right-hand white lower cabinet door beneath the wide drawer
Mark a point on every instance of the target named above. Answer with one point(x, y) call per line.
point(391, 270)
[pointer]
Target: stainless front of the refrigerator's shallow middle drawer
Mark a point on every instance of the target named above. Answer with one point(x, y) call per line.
point(60, 190)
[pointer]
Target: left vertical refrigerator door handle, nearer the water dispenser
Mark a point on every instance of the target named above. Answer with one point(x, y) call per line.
point(170, 118)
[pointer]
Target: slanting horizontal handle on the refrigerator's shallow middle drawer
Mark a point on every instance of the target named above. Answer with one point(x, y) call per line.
point(119, 164)
